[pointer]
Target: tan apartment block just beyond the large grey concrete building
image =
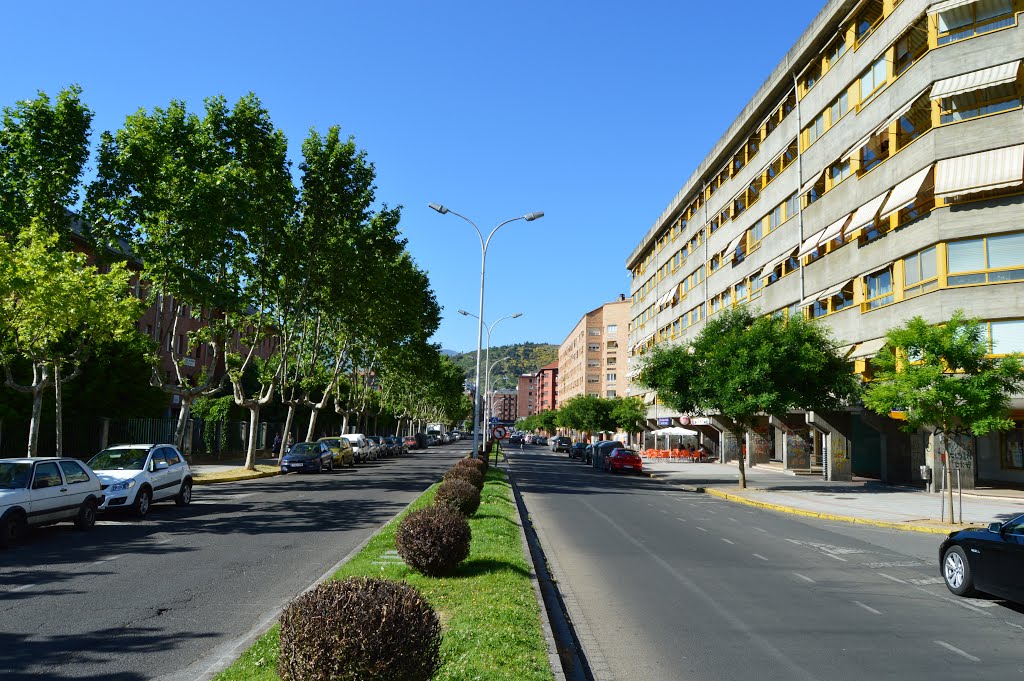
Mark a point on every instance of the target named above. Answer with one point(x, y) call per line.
point(592, 360)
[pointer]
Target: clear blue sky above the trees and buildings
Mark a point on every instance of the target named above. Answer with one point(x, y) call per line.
point(594, 113)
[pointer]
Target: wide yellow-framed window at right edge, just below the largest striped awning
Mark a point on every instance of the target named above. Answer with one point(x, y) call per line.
point(990, 261)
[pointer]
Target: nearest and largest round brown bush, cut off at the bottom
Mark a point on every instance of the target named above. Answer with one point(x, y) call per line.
point(359, 628)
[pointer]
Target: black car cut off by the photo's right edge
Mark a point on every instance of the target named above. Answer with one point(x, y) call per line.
point(988, 561)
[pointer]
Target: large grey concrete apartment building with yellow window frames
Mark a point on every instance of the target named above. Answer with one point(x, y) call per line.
point(876, 176)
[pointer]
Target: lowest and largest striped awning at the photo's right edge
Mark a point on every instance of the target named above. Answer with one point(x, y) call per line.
point(980, 173)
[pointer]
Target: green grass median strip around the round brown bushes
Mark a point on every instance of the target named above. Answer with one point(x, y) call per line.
point(489, 613)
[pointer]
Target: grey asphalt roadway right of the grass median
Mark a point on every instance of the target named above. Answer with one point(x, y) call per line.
point(662, 584)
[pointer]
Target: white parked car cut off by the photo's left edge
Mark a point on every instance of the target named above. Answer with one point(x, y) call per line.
point(44, 491)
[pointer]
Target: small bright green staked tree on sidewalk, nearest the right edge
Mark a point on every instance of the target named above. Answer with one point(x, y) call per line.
point(942, 377)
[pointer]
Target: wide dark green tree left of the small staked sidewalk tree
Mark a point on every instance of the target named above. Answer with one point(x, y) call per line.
point(742, 366)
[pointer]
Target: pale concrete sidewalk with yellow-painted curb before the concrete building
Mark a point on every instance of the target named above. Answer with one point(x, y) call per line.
point(867, 502)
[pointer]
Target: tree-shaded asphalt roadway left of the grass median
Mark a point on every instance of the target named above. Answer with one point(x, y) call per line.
point(167, 598)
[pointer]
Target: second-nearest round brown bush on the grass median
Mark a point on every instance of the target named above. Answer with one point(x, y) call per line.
point(434, 540)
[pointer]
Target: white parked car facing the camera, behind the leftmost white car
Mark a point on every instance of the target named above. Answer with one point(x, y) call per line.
point(137, 476)
